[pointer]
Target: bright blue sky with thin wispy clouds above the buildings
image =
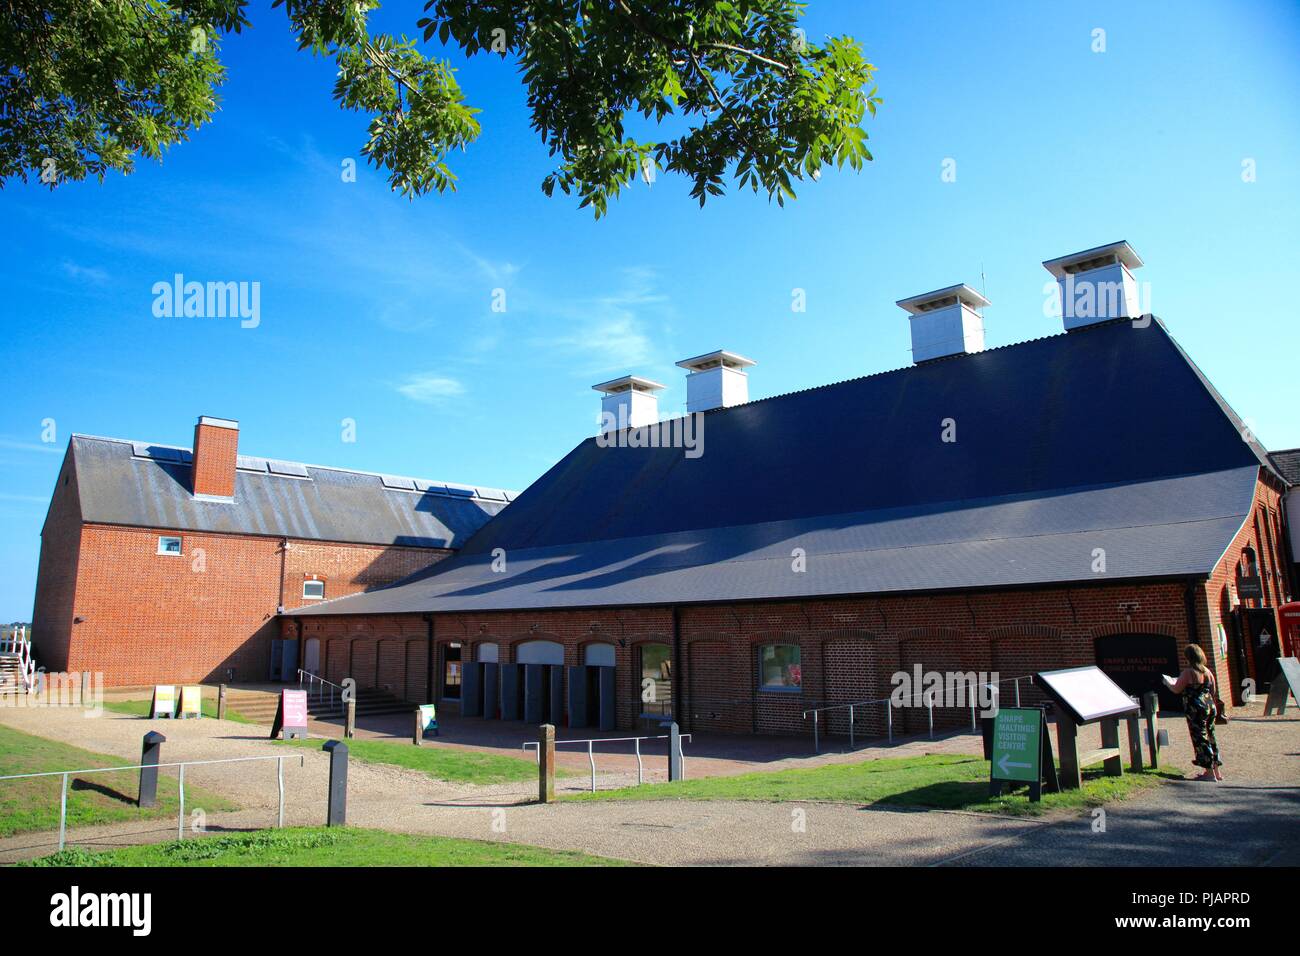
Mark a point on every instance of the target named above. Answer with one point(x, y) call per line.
point(379, 310)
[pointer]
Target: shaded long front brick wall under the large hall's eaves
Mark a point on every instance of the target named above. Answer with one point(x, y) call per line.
point(850, 648)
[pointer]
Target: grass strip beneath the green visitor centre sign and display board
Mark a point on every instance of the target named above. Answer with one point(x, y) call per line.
point(951, 782)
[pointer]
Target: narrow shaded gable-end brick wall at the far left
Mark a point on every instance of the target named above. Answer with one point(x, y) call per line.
point(57, 576)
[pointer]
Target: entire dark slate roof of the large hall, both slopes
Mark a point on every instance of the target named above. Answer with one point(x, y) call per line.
point(1106, 438)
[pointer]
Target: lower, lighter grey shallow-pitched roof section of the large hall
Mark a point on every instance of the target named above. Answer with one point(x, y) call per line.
point(1151, 530)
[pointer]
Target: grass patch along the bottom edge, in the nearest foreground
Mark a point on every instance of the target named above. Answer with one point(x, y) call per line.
point(326, 847)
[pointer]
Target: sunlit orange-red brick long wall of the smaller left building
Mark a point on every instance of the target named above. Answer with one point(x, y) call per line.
point(155, 618)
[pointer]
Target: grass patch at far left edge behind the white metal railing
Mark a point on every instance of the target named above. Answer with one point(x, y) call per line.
point(33, 804)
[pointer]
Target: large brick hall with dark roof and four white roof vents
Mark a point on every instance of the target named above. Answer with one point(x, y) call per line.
point(1086, 498)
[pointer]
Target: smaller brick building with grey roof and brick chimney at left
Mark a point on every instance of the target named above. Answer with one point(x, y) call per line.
point(246, 535)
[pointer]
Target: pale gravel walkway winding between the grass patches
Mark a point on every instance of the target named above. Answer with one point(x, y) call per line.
point(1250, 820)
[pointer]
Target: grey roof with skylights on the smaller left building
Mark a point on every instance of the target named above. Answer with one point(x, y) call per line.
point(149, 486)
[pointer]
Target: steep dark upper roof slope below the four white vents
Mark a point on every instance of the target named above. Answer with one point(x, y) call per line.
point(1028, 419)
